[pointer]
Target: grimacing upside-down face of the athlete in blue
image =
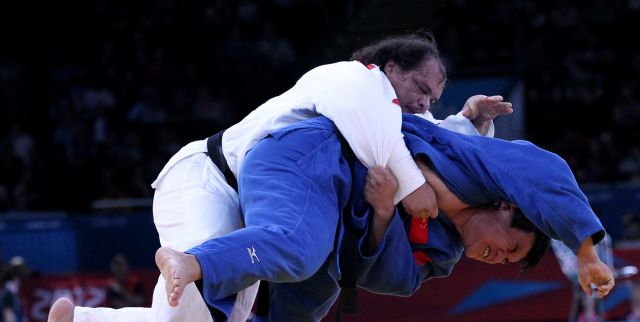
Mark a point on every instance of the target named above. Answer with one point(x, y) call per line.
point(488, 237)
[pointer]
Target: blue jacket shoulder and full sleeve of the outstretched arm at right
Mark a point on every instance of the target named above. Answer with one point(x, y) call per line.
point(482, 170)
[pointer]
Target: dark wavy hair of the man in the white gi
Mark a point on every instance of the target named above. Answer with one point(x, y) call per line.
point(407, 51)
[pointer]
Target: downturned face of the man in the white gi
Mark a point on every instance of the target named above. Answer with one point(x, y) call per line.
point(418, 88)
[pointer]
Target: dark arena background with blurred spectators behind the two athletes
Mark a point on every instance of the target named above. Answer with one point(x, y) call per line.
point(96, 96)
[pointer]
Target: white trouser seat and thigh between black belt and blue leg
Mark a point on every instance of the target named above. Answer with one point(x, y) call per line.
point(193, 203)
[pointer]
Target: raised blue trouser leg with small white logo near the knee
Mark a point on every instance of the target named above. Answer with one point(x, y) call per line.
point(291, 194)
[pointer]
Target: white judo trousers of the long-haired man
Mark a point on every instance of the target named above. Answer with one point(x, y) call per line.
point(192, 203)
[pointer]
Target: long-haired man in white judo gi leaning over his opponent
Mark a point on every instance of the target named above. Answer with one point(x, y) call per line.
point(194, 203)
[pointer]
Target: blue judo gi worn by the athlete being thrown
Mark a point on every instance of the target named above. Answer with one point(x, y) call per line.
point(295, 183)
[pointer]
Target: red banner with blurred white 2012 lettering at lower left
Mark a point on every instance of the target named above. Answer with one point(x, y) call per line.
point(38, 294)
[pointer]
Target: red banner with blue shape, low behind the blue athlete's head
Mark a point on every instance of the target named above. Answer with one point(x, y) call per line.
point(478, 292)
